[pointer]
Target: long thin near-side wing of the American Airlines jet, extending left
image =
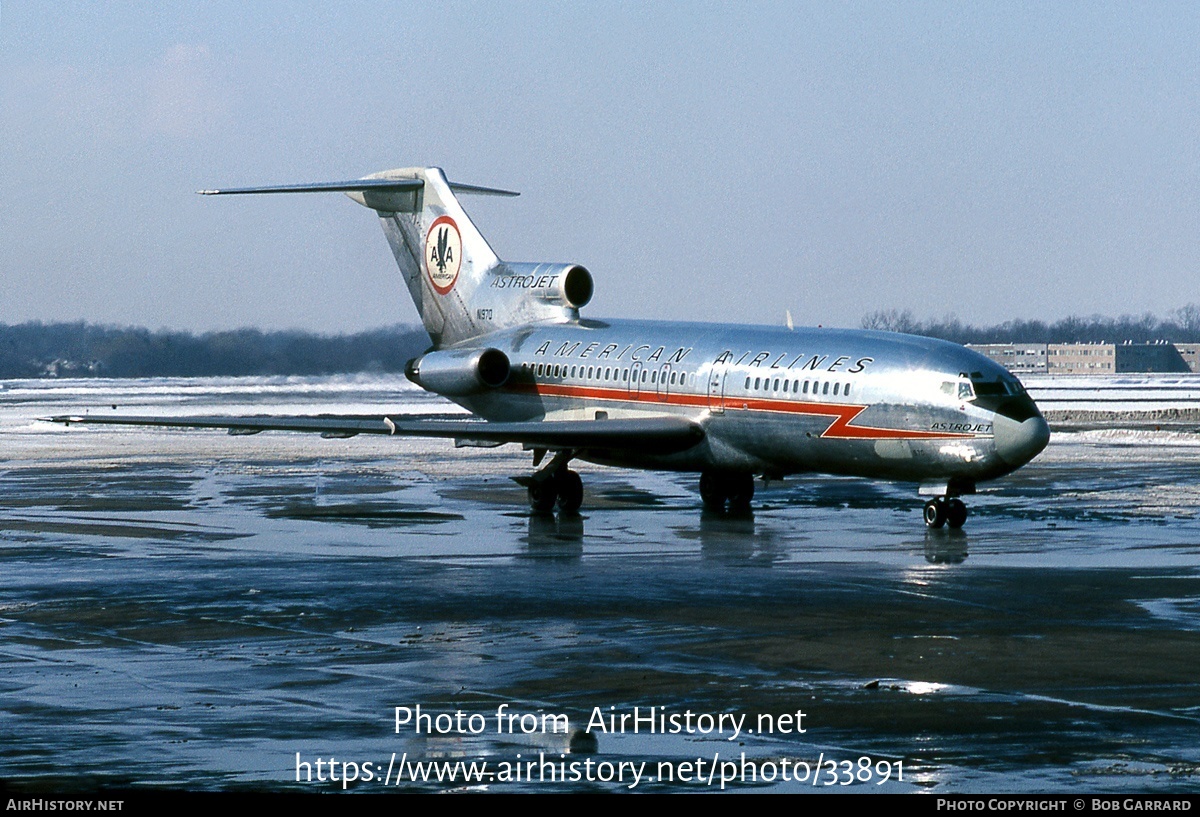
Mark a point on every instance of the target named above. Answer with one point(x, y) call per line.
point(663, 435)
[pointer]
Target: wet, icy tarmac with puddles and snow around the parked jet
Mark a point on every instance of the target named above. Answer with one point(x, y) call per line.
point(212, 612)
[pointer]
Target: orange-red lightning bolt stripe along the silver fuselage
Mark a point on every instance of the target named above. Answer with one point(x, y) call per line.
point(842, 414)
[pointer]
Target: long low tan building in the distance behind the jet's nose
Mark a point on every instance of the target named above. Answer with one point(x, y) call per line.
point(1093, 358)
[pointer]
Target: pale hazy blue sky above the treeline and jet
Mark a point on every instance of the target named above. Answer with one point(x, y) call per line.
point(705, 161)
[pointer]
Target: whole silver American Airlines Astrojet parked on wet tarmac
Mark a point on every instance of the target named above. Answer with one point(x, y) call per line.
point(509, 344)
